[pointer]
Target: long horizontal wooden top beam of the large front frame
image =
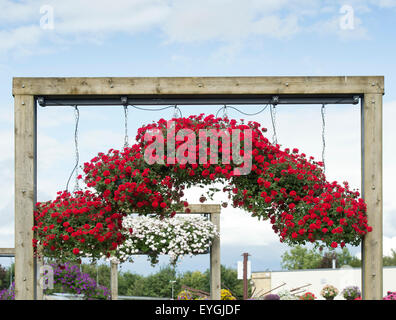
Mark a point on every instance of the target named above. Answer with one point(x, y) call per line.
point(198, 85)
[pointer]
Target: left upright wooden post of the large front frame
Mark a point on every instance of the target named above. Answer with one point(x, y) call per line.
point(25, 195)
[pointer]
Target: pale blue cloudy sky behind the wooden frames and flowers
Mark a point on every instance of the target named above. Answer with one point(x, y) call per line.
point(149, 38)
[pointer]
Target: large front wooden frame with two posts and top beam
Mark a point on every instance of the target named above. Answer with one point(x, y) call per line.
point(27, 90)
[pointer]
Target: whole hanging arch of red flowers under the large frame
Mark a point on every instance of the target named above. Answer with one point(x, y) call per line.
point(281, 185)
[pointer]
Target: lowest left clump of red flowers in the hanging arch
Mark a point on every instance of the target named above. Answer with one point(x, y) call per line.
point(75, 226)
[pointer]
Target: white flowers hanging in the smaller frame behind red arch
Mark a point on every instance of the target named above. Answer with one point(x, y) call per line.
point(171, 236)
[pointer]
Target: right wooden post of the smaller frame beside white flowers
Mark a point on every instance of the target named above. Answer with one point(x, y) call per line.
point(215, 265)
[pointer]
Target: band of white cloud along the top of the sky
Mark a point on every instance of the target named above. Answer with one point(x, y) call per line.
point(177, 20)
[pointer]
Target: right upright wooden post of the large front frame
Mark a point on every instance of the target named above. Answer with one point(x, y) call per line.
point(372, 274)
